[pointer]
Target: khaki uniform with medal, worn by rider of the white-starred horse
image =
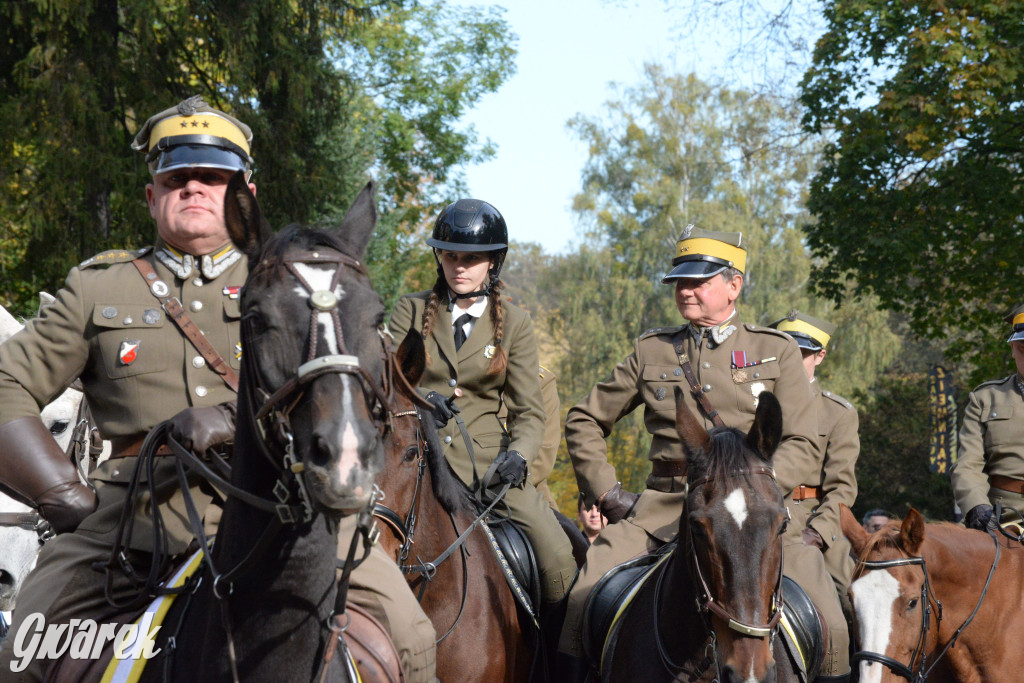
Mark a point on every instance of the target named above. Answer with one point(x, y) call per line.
point(649, 377)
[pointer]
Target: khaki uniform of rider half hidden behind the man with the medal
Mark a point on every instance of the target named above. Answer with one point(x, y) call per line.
point(841, 445)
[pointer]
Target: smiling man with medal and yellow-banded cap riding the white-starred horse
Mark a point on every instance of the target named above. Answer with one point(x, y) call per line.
point(733, 363)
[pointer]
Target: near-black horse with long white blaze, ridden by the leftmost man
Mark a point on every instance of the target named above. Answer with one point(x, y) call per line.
point(318, 377)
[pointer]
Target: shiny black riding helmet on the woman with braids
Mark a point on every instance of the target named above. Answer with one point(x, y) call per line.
point(472, 226)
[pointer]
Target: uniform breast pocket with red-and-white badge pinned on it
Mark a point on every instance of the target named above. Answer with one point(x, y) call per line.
point(133, 339)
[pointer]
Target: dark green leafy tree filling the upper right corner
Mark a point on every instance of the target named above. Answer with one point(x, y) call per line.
point(920, 198)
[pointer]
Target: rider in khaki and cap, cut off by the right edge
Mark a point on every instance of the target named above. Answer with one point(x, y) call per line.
point(991, 467)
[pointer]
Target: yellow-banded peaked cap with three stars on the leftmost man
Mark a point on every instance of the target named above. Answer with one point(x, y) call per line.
point(193, 134)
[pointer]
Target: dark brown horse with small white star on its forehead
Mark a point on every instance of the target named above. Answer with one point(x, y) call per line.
point(712, 608)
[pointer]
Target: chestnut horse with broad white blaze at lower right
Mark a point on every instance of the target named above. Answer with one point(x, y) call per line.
point(921, 589)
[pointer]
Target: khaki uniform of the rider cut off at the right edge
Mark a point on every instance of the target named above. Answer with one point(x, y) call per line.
point(992, 445)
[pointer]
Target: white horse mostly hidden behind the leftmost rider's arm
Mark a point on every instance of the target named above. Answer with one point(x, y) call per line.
point(20, 545)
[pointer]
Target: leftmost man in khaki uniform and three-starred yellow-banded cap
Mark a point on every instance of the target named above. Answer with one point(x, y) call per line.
point(138, 368)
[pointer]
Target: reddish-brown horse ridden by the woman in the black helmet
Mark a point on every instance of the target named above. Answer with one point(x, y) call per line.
point(428, 522)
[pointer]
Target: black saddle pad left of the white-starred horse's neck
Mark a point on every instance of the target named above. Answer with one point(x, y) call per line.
point(612, 596)
